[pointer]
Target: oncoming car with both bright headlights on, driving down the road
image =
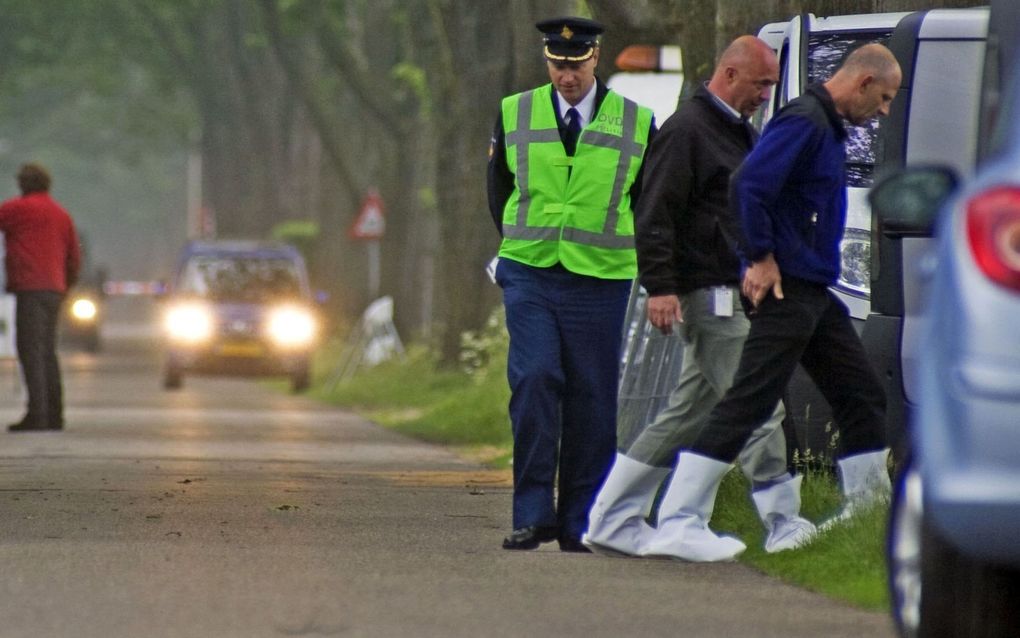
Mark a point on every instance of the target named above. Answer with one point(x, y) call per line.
point(240, 309)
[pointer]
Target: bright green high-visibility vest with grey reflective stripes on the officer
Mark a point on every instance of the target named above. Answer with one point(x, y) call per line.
point(574, 211)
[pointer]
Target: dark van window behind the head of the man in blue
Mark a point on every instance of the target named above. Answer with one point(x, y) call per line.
point(827, 52)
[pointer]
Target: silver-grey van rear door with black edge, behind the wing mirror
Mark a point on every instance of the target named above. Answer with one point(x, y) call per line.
point(934, 121)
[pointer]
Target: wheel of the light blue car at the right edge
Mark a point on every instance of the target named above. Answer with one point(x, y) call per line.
point(935, 590)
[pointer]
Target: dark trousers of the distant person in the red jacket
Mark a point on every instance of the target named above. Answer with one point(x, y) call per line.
point(36, 336)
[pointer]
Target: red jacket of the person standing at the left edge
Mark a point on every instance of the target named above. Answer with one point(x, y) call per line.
point(42, 251)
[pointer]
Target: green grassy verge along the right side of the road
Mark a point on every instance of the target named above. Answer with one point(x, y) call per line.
point(467, 410)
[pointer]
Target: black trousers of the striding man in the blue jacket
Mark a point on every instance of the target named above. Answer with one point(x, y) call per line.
point(812, 327)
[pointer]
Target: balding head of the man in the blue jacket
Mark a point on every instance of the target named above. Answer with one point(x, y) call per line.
point(864, 86)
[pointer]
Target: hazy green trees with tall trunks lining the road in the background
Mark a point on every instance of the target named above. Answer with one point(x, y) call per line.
point(300, 108)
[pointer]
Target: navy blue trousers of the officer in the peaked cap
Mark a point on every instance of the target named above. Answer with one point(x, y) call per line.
point(564, 367)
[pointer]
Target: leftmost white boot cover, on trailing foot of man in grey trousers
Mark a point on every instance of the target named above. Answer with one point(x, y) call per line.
point(617, 524)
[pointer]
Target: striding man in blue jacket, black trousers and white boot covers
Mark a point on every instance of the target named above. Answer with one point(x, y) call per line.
point(791, 198)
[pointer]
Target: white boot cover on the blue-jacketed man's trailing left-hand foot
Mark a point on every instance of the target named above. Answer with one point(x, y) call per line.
point(686, 511)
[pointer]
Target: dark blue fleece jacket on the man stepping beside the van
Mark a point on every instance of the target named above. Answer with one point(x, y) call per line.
point(791, 192)
